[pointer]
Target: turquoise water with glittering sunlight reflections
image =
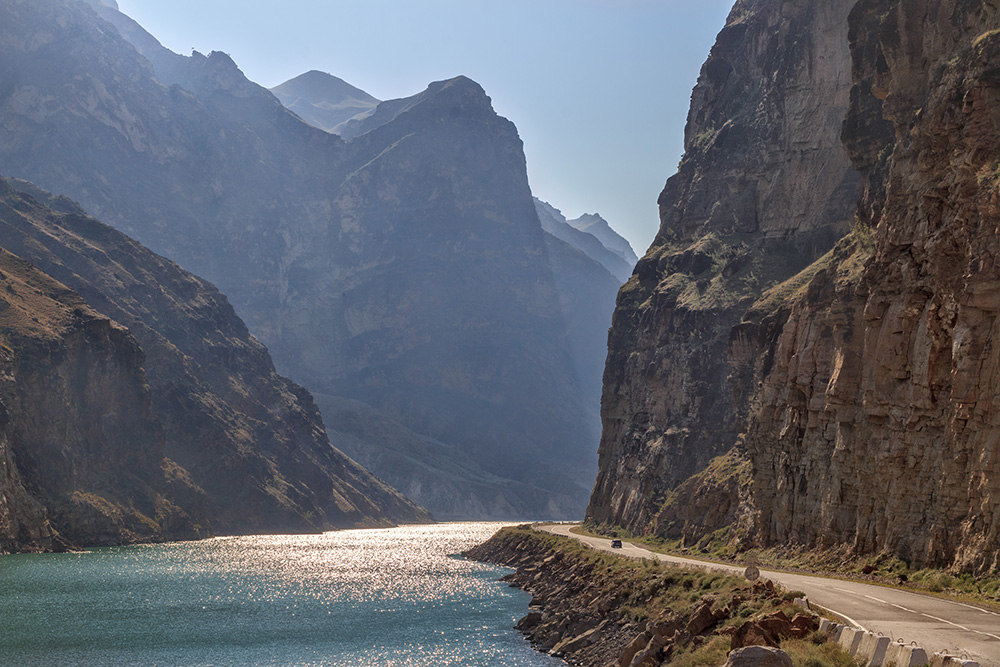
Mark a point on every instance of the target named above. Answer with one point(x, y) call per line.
point(355, 598)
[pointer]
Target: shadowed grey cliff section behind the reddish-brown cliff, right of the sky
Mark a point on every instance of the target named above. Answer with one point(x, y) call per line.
point(764, 189)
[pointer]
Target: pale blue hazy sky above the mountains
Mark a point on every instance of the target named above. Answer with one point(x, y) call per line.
point(598, 89)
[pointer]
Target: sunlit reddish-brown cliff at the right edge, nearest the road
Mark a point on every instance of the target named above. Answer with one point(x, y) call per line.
point(877, 428)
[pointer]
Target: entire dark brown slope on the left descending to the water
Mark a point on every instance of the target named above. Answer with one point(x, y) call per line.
point(175, 427)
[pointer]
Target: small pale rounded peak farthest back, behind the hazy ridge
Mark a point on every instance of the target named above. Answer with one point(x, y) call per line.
point(323, 100)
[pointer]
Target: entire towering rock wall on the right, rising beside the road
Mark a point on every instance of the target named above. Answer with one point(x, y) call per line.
point(852, 396)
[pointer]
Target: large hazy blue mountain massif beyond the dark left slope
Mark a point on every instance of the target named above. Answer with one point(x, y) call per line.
point(405, 268)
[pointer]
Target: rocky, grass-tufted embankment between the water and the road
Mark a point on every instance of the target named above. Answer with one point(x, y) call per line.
point(593, 609)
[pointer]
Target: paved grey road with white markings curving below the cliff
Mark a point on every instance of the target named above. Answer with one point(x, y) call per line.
point(933, 623)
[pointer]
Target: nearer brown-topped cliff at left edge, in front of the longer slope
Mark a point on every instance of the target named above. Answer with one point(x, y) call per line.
point(82, 453)
